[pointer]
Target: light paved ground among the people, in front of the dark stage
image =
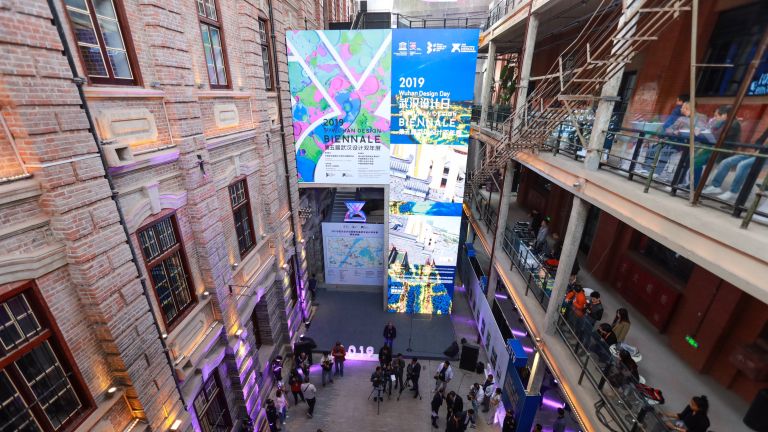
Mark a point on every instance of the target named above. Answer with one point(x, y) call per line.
point(344, 406)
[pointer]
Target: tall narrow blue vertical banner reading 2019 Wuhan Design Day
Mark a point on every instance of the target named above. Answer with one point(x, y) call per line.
point(433, 74)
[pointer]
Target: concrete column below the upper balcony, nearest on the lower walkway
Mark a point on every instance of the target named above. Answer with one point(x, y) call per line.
point(567, 256)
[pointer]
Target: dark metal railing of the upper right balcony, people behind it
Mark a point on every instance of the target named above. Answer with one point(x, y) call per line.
point(662, 162)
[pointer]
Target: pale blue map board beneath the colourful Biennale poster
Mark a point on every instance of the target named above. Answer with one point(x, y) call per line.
point(354, 253)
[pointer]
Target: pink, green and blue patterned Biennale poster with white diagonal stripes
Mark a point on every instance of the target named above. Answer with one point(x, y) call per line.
point(340, 97)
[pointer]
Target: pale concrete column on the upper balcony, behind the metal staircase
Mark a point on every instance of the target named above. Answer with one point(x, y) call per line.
point(610, 89)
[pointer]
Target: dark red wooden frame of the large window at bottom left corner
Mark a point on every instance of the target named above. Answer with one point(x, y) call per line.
point(50, 333)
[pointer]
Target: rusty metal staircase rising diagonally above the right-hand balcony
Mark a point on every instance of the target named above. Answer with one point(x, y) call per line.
point(610, 39)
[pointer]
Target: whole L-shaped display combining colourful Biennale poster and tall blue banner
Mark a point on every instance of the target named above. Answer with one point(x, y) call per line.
point(392, 107)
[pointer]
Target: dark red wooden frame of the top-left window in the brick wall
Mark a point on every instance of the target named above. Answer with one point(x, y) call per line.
point(130, 50)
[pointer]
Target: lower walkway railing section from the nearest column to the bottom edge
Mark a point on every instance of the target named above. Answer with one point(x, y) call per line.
point(614, 383)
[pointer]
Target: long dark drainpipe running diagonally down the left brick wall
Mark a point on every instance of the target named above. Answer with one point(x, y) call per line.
point(79, 83)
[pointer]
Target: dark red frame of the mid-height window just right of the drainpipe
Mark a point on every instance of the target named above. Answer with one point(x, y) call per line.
point(149, 265)
